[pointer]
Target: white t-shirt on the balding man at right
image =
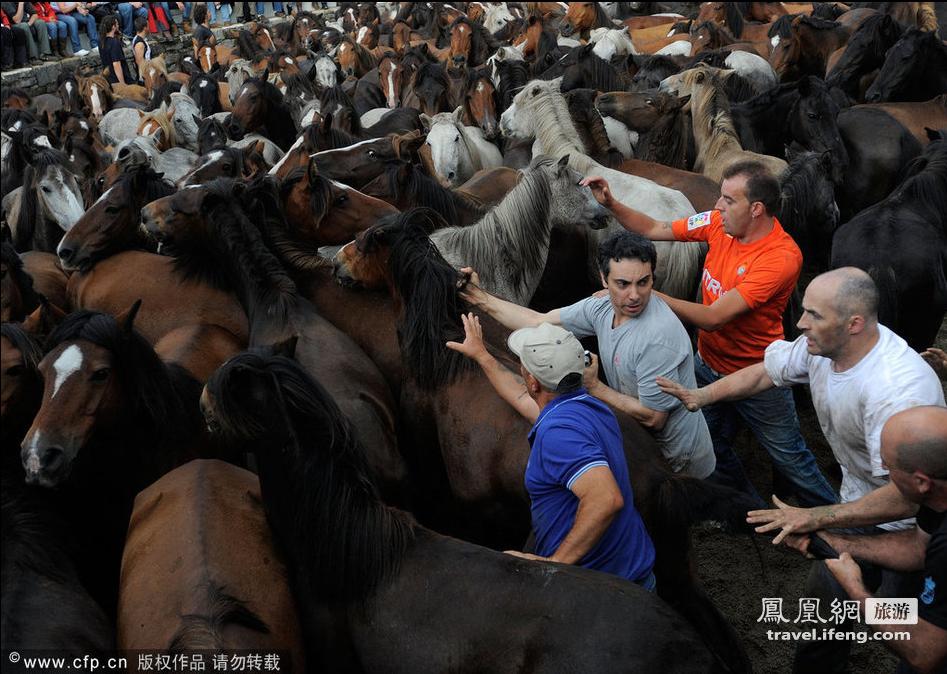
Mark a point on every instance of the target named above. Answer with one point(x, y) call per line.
point(854, 405)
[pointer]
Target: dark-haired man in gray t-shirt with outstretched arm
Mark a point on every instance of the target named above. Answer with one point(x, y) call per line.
point(639, 338)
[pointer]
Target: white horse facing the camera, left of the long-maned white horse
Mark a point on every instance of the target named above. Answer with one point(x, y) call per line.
point(458, 151)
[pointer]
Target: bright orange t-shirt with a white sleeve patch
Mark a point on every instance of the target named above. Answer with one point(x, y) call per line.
point(763, 272)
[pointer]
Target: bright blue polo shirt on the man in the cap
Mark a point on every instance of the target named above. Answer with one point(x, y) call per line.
point(574, 433)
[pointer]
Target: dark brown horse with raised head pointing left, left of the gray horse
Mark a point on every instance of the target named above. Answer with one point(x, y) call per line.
point(215, 231)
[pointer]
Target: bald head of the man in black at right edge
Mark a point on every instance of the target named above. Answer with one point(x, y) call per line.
point(916, 440)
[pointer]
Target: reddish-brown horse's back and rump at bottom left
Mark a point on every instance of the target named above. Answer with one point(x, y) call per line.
point(226, 588)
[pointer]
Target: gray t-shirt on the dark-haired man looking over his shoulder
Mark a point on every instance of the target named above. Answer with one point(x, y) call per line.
point(649, 345)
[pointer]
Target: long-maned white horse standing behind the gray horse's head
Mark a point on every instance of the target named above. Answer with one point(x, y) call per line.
point(540, 110)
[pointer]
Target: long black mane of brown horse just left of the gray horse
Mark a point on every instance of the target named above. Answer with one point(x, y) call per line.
point(427, 285)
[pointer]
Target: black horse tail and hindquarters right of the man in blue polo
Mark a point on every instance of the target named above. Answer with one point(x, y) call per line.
point(678, 503)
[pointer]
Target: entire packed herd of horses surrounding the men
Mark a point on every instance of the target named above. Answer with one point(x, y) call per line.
point(229, 418)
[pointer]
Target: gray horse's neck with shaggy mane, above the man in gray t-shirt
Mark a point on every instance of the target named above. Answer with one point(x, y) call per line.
point(518, 226)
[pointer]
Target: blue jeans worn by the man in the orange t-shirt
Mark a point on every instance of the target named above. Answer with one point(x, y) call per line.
point(771, 416)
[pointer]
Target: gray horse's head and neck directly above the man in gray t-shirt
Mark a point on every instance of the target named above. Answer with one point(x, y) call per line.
point(510, 244)
